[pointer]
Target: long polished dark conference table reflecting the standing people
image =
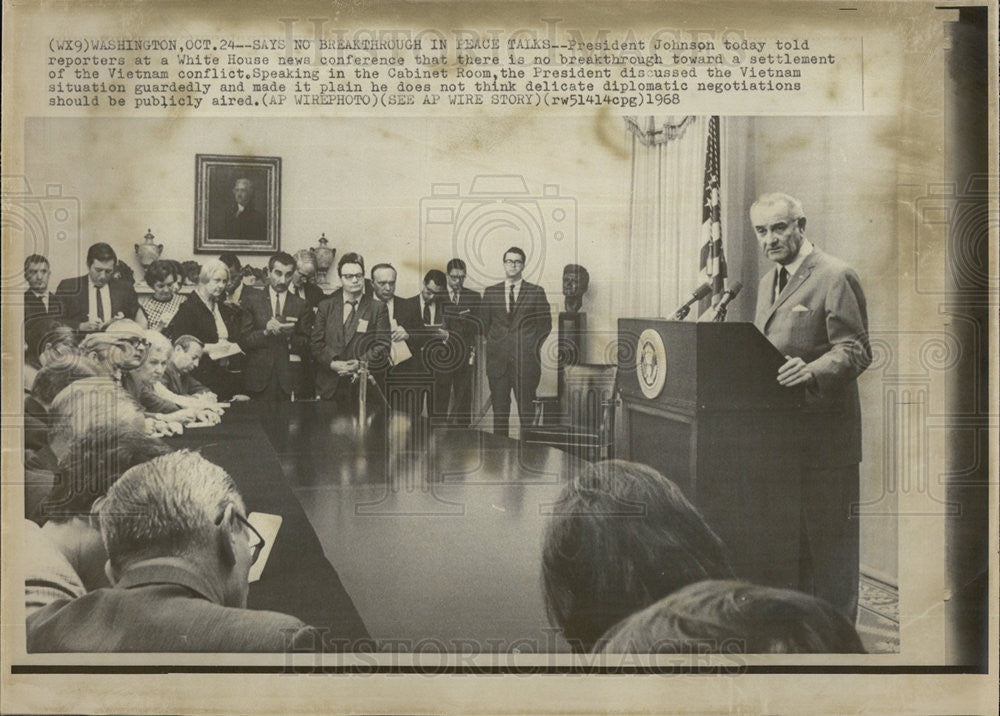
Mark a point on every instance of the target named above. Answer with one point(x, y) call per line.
point(428, 540)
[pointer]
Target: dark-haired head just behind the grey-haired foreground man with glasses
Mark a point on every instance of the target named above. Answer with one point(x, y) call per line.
point(94, 460)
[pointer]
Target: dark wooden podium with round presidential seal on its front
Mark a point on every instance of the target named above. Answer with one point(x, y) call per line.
point(701, 404)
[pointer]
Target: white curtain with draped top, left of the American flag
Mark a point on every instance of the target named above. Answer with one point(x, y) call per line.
point(664, 239)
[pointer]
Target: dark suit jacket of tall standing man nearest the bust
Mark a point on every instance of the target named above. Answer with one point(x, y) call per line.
point(514, 341)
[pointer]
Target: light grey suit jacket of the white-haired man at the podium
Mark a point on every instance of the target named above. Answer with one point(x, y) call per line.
point(821, 317)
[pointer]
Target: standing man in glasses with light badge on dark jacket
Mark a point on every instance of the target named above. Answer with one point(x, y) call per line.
point(350, 327)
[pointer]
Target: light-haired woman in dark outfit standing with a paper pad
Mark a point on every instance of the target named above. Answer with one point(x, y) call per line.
point(217, 324)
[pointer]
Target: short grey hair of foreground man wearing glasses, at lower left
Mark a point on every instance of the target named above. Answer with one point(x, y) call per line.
point(170, 506)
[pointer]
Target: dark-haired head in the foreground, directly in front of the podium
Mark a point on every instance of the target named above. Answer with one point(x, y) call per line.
point(621, 537)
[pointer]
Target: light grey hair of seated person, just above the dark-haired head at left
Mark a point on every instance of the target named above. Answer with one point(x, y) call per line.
point(91, 404)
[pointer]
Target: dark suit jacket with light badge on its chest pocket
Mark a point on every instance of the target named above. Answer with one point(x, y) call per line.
point(365, 337)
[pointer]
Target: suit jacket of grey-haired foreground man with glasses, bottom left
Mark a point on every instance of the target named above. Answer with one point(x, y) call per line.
point(162, 605)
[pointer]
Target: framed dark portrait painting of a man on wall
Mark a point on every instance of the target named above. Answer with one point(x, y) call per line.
point(237, 204)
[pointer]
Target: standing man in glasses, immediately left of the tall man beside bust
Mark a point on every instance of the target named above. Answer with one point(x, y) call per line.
point(461, 310)
